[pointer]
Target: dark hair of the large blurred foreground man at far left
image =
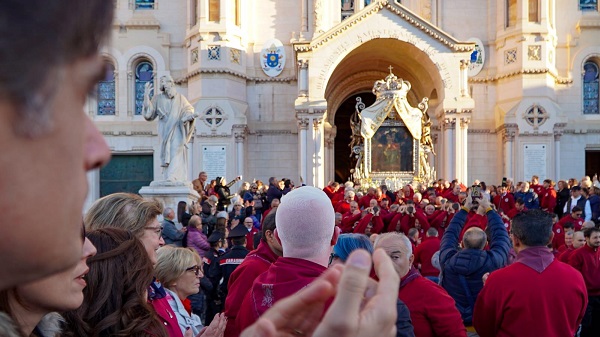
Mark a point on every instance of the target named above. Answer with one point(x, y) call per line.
point(25, 81)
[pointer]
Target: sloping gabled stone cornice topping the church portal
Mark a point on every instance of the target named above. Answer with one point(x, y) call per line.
point(410, 17)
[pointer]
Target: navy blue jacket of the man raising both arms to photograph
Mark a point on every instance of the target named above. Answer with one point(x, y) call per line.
point(462, 269)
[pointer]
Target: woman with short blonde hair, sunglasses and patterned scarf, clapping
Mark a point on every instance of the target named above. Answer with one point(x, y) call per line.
point(180, 270)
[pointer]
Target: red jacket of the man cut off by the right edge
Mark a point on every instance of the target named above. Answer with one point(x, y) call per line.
point(587, 261)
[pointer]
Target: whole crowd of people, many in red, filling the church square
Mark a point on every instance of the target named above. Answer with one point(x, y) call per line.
point(441, 260)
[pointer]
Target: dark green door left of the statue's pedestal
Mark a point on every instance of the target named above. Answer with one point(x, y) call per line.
point(126, 173)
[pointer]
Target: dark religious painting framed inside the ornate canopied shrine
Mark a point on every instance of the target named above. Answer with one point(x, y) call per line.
point(392, 149)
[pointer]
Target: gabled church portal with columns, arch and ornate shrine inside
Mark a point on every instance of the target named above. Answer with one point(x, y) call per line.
point(423, 106)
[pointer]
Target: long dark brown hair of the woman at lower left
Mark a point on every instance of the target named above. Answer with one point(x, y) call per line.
point(115, 301)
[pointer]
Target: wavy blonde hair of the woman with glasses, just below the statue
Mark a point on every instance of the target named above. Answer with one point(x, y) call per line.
point(123, 210)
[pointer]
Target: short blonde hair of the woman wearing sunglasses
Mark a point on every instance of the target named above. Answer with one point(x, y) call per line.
point(172, 263)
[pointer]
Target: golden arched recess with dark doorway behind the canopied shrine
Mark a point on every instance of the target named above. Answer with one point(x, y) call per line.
point(354, 77)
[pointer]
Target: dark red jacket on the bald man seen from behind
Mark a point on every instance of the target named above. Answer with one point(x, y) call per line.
point(283, 278)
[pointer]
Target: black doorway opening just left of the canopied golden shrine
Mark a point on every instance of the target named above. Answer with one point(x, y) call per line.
point(343, 162)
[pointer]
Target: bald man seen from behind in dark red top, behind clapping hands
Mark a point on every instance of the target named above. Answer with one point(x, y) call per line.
point(307, 232)
